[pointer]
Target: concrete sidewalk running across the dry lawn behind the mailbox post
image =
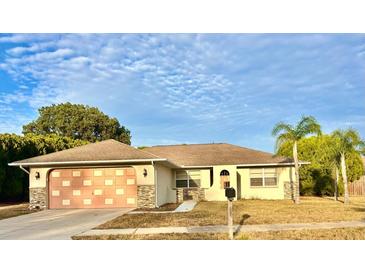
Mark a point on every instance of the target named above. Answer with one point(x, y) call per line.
point(224, 229)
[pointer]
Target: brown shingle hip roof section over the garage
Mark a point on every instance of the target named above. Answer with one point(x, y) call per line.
point(109, 150)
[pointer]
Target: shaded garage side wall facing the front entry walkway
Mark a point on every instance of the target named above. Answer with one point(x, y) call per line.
point(165, 178)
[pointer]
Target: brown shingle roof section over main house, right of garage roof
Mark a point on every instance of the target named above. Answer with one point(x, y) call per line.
point(214, 154)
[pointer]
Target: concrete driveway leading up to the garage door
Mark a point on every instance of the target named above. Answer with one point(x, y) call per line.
point(56, 224)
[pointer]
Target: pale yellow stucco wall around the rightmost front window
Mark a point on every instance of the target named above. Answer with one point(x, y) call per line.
point(272, 193)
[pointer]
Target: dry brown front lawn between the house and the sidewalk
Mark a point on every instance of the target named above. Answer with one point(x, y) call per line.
point(311, 209)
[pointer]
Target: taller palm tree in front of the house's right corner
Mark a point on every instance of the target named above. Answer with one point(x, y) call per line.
point(288, 133)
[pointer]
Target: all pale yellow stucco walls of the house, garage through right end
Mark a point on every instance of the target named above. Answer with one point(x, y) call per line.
point(239, 179)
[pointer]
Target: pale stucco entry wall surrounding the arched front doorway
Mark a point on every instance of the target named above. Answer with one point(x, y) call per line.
point(216, 192)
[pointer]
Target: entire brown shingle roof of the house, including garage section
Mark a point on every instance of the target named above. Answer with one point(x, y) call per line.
point(110, 151)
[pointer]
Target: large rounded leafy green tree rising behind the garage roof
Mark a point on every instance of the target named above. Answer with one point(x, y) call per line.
point(78, 122)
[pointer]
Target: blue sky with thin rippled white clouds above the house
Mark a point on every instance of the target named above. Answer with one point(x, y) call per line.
point(184, 88)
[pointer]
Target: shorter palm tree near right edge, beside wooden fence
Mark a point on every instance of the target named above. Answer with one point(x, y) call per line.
point(347, 141)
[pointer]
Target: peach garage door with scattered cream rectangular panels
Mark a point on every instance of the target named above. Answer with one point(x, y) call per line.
point(92, 188)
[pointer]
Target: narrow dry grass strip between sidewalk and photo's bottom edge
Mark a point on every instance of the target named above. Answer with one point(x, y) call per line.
point(320, 234)
